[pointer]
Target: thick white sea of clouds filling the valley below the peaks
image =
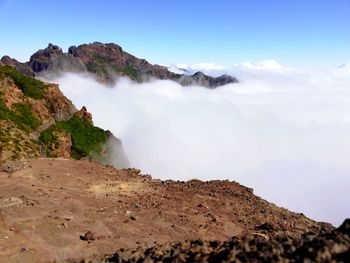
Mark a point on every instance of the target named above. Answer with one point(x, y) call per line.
point(285, 134)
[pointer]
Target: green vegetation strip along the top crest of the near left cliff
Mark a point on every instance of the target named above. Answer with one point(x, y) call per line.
point(31, 87)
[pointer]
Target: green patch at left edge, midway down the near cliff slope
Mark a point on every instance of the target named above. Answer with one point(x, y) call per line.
point(21, 115)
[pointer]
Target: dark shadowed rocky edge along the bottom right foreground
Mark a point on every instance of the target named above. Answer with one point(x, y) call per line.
point(331, 246)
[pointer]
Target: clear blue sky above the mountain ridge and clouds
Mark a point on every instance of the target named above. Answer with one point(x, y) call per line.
point(311, 33)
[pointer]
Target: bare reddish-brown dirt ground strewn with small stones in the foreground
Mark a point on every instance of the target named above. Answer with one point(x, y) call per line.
point(48, 205)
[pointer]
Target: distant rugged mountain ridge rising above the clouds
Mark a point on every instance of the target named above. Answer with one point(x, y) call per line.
point(106, 62)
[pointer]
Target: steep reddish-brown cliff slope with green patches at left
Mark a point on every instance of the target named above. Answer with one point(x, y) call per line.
point(37, 120)
